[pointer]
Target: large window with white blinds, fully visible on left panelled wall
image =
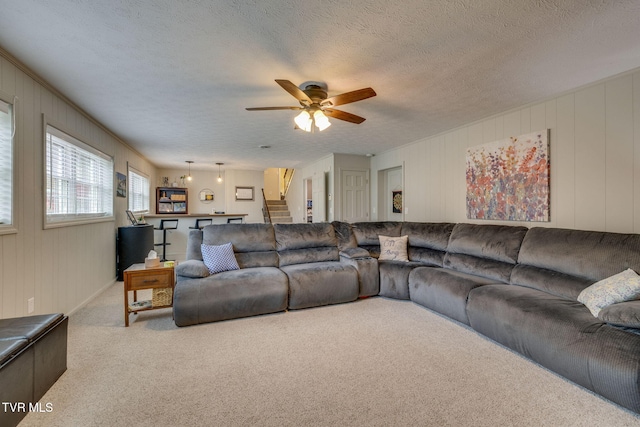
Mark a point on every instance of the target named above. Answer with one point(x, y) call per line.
point(79, 180)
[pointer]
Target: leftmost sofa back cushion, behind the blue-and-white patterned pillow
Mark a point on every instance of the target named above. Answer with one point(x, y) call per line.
point(254, 245)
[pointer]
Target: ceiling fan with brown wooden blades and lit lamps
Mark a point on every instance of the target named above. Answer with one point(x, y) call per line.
point(316, 106)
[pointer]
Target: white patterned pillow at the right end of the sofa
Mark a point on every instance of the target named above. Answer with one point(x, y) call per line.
point(624, 286)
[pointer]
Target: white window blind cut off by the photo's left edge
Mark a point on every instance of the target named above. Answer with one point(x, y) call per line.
point(6, 163)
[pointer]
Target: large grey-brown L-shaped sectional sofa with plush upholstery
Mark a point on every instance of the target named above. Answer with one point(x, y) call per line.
point(514, 285)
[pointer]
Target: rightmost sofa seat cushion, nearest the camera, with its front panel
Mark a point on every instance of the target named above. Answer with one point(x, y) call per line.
point(556, 332)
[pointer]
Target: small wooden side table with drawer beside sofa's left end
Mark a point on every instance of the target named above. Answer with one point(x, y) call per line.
point(137, 277)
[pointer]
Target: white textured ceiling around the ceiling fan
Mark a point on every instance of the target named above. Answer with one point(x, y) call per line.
point(173, 78)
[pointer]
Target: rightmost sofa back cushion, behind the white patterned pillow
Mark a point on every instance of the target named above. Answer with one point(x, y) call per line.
point(564, 262)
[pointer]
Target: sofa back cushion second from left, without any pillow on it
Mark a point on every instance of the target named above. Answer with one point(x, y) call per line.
point(304, 243)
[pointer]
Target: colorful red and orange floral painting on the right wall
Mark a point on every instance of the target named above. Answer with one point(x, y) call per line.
point(509, 179)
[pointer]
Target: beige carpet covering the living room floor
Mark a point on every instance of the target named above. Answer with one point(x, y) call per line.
point(375, 362)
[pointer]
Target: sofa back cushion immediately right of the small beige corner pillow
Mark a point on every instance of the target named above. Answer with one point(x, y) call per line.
point(427, 241)
